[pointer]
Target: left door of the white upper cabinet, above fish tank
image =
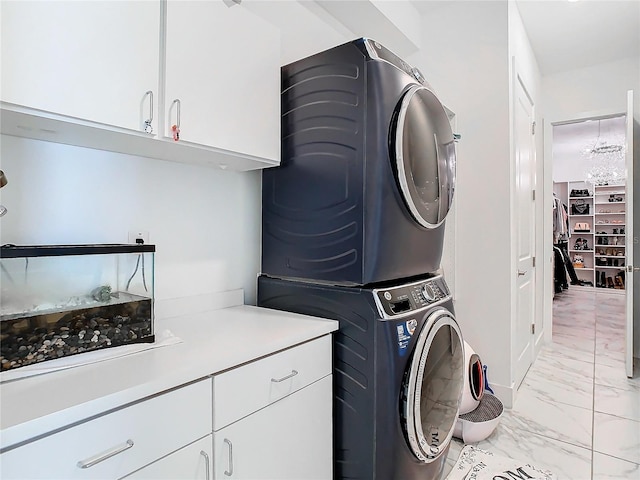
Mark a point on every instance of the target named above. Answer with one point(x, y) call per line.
point(91, 60)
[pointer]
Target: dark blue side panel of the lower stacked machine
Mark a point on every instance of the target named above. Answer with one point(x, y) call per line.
point(360, 442)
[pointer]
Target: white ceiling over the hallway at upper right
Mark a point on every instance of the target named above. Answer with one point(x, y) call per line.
point(566, 35)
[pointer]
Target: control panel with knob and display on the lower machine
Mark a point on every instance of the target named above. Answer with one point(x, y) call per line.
point(399, 300)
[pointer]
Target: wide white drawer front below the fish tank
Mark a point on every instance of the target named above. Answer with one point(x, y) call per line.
point(156, 427)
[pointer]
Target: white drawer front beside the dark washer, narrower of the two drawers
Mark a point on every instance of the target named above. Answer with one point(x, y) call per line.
point(243, 390)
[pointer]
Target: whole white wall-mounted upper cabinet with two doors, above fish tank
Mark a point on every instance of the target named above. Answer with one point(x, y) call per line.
point(91, 73)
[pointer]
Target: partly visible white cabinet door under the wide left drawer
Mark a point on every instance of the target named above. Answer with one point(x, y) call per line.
point(192, 462)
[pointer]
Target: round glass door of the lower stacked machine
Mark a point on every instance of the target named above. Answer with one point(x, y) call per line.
point(432, 387)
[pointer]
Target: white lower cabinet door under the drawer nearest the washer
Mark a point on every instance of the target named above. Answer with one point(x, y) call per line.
point(288, 440)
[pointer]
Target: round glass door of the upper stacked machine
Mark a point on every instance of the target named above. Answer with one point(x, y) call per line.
point(424, 155)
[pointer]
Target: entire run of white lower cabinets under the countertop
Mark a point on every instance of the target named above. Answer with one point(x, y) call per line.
point(269, 419)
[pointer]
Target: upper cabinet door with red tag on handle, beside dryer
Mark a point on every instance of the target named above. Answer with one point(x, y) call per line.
point(223, 65)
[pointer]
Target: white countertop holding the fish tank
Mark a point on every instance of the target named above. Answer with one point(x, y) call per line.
point(212, 342)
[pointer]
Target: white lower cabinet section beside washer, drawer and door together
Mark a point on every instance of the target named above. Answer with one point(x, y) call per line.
point(273, 417)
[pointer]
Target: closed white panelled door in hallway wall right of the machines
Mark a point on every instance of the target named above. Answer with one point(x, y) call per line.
point(525, 163)
